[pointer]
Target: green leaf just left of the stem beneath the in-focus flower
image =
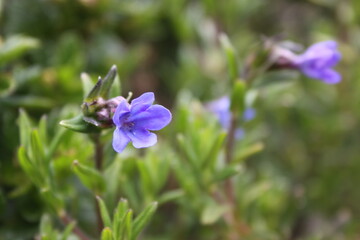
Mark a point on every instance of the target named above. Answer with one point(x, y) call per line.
point(90, 177)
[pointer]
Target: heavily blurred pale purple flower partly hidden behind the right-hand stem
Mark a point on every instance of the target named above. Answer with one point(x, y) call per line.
point(221, 109)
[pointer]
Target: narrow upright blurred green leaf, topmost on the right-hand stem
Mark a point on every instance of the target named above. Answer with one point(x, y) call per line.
point(231, 57)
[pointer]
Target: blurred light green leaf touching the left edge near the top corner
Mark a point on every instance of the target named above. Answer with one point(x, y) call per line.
point(15, 46)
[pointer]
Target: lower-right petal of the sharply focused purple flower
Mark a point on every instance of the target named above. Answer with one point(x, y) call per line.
point(142, 138)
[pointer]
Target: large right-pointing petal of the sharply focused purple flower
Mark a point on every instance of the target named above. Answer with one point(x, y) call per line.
point(154, 118)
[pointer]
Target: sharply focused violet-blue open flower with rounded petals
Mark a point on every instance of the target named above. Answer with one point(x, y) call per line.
point(134, 122)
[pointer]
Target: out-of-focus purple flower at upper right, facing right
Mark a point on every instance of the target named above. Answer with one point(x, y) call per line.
point(318, 60)
